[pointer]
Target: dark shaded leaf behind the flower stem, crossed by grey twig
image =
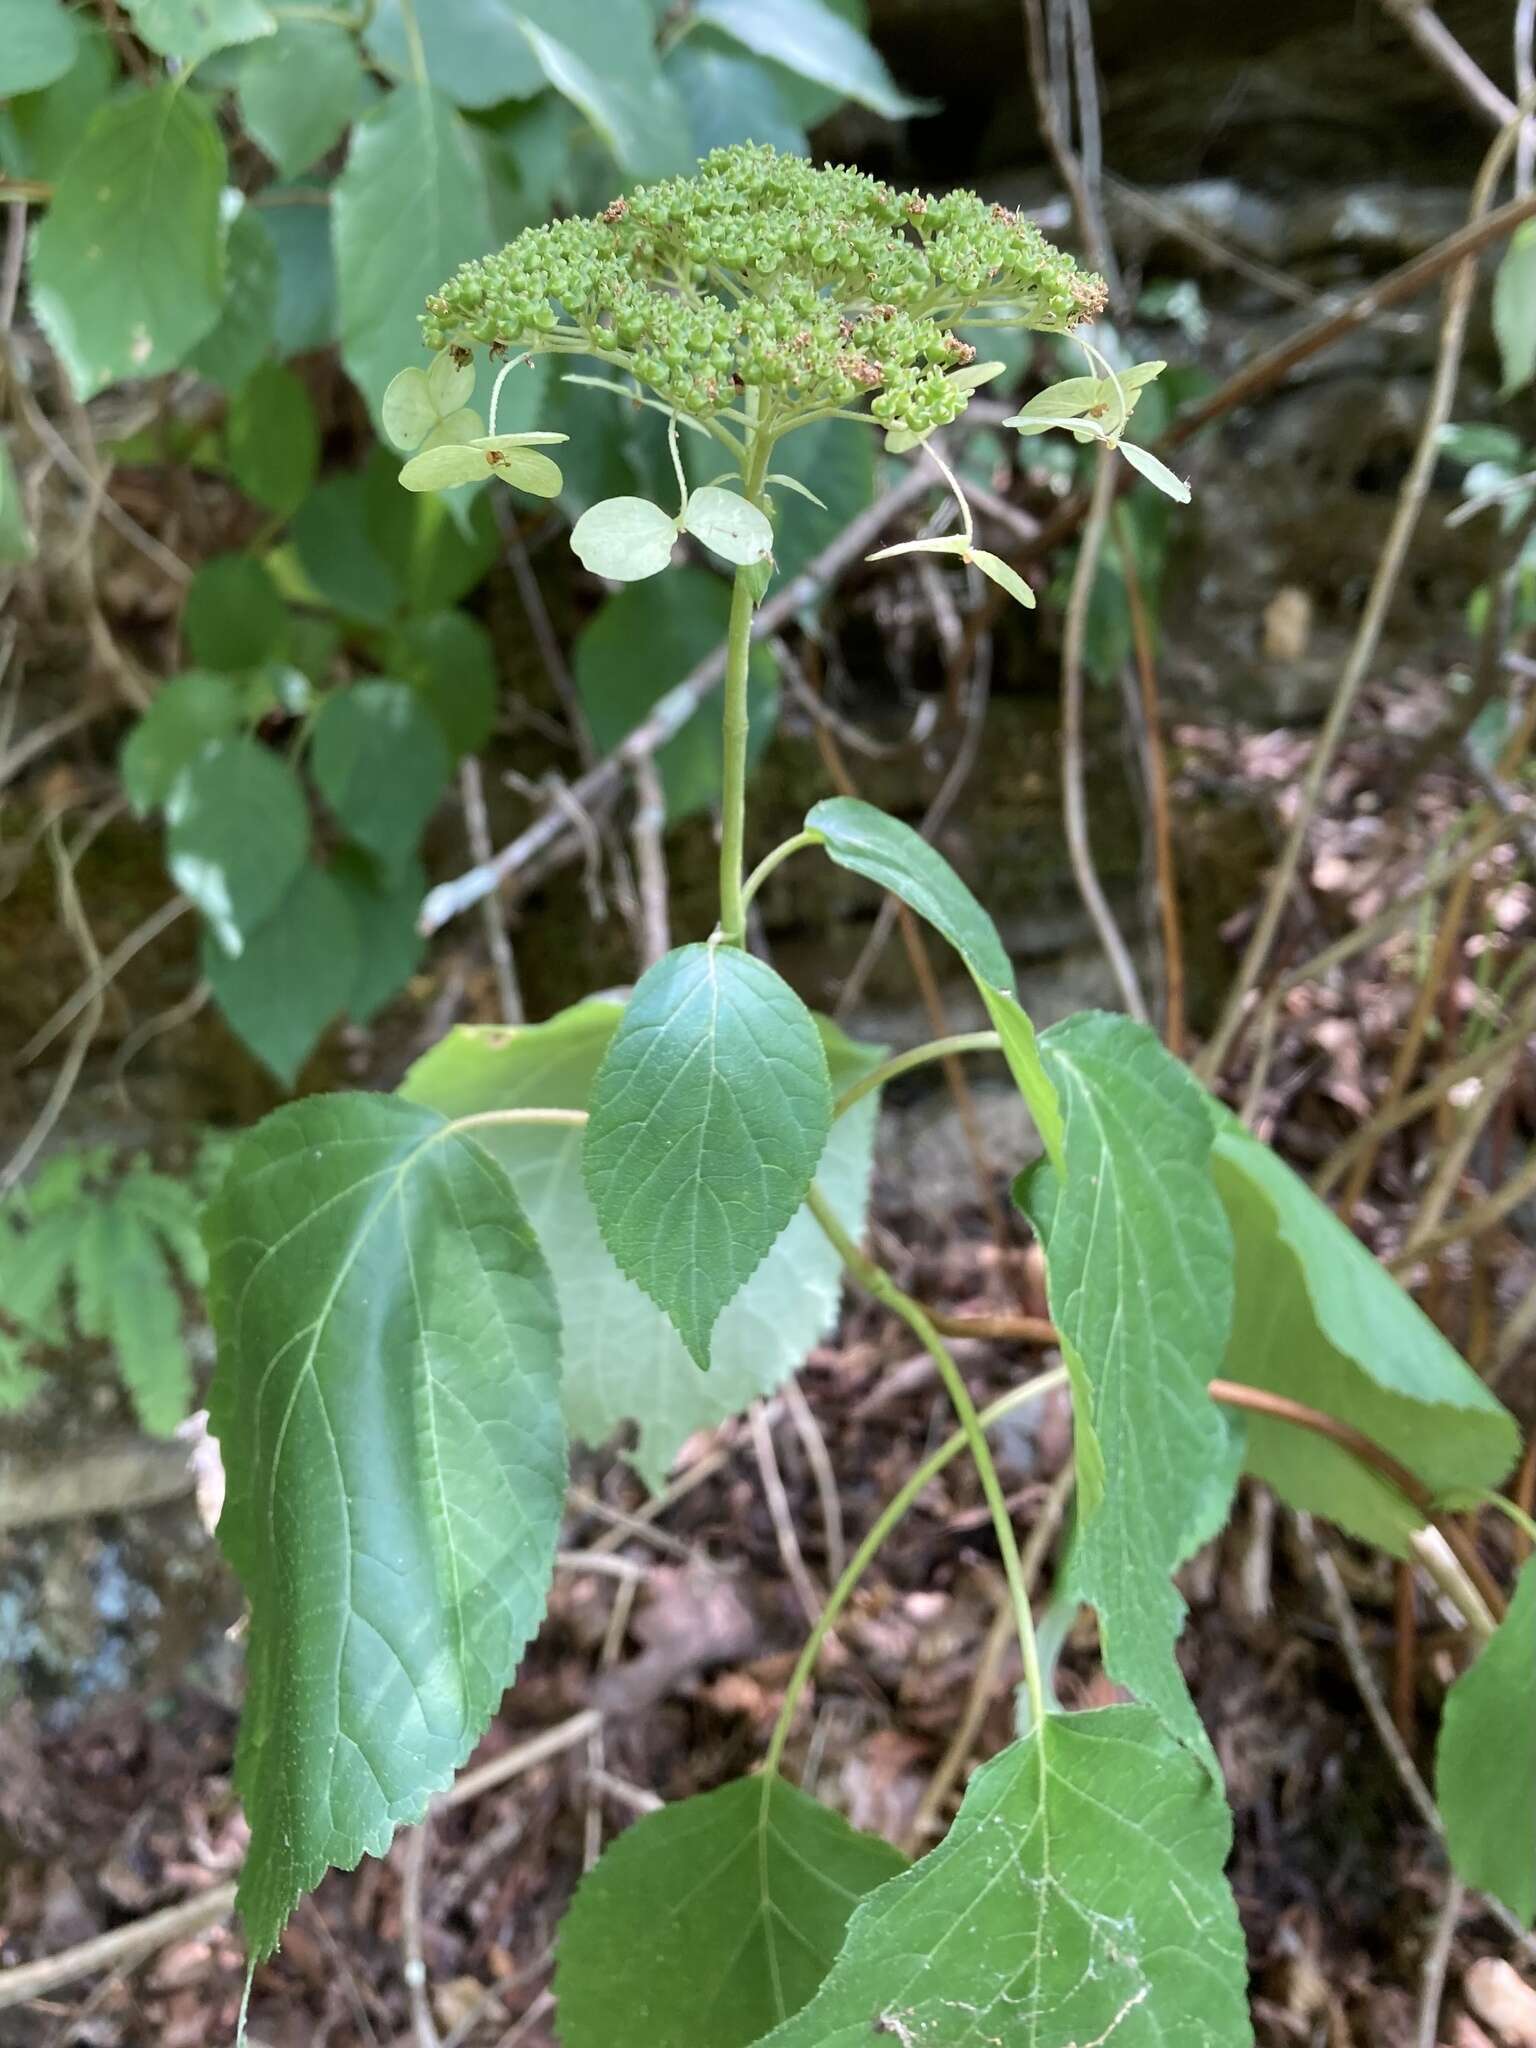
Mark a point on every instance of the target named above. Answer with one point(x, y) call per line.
point(679, 626)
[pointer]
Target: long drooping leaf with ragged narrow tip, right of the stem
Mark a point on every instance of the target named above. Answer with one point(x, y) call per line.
point(1140, 1275)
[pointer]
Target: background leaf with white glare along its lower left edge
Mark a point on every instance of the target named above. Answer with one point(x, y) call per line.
point(237, 835)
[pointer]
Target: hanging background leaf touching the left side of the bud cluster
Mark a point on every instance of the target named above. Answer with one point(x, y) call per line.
point(407, 212)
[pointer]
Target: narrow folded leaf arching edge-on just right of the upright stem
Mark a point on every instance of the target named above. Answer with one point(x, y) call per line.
point(896, 857)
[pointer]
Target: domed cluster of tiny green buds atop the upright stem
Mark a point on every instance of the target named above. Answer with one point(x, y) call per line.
point(818, 288)
